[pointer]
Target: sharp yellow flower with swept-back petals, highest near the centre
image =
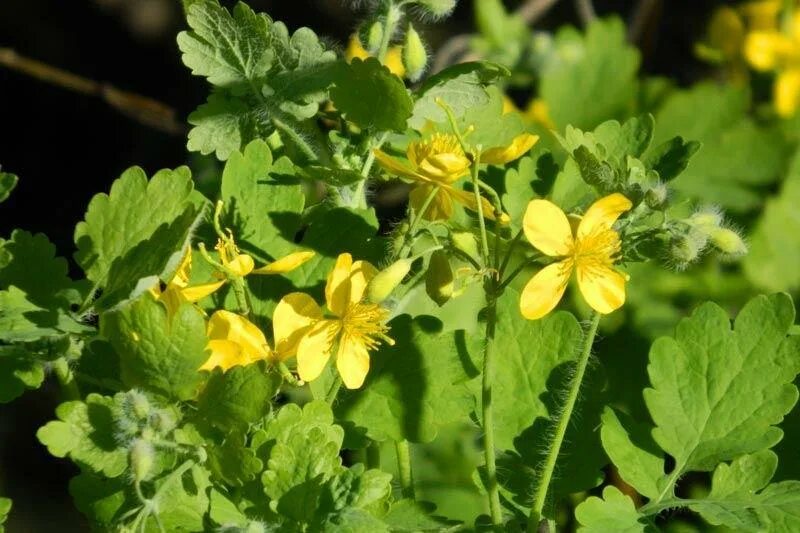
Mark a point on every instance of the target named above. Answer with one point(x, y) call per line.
point(438, 162)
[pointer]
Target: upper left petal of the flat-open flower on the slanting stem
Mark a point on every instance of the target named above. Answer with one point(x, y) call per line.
point(547, 228)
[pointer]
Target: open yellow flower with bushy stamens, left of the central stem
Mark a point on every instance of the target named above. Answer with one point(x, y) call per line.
point(357, 326)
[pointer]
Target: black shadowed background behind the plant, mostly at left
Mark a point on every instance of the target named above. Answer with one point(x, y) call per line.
point(66, 147)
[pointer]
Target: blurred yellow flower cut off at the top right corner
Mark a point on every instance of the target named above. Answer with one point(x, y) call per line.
point(773, 50)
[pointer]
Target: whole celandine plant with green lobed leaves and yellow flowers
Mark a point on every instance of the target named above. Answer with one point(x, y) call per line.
point(266, 356)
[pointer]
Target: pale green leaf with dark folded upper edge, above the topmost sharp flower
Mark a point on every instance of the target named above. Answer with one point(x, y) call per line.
point(462, 87)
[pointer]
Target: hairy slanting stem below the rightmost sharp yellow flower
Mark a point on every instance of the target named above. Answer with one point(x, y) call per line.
point(561, 429)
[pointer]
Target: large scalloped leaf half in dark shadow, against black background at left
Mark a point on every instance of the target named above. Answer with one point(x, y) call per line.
point(136, 215)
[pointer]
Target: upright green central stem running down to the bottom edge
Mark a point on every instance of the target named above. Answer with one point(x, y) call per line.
point(488, 417)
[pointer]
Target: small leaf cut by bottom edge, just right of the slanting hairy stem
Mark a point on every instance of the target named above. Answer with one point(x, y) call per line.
point(614, 512)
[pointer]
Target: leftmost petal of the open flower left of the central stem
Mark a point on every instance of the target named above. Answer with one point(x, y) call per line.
point(293, 317)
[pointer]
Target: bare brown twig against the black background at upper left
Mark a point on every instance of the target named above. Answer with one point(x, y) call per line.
point(139, 108)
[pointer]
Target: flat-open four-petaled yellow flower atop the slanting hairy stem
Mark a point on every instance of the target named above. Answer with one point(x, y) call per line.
point(591, 251)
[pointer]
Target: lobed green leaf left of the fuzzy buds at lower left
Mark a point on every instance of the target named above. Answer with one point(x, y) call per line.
point(85, 431)
